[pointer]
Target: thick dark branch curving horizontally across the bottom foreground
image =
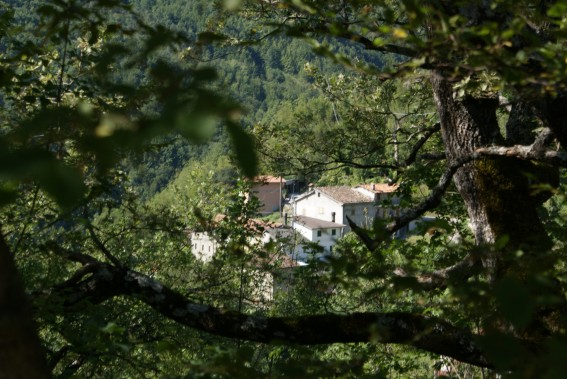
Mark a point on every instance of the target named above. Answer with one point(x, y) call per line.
point(423, 332)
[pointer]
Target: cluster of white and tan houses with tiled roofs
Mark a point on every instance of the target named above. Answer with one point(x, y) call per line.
point(316, 216)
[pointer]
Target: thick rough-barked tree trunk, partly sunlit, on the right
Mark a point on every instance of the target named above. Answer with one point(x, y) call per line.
point(496, 191)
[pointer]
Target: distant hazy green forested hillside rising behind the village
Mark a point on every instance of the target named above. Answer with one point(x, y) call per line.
point(266, 75)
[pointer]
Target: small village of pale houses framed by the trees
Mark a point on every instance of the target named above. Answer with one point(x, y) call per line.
point(312, 223)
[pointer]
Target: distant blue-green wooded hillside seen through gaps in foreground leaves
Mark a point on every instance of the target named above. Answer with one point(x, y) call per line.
point(267, 78)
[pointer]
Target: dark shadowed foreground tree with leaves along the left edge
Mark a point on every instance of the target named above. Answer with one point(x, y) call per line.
point(66, 124)
